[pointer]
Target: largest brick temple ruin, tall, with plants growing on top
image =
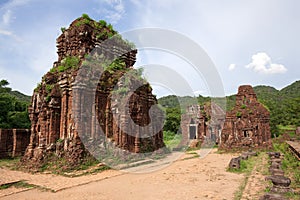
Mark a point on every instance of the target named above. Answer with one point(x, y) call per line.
point(58, 110)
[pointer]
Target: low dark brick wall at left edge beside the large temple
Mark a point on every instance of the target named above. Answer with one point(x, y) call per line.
point(13, 142)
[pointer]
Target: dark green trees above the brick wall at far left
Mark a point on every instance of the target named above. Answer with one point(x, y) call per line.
point(13, 107)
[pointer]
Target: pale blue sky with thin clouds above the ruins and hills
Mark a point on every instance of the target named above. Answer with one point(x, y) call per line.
point(251, 41)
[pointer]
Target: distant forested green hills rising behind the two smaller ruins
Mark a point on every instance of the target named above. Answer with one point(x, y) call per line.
point(284, 104)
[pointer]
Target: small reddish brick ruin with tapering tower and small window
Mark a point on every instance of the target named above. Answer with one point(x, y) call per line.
point(247, 124)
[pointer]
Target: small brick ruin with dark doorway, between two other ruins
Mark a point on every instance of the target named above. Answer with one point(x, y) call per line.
point(203, 122)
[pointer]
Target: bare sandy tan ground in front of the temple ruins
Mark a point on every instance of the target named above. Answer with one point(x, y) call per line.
point(196, 178)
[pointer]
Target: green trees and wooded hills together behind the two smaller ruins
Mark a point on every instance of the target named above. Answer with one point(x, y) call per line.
point(284, 106)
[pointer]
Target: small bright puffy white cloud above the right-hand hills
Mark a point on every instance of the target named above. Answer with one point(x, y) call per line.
point(262, 63)
